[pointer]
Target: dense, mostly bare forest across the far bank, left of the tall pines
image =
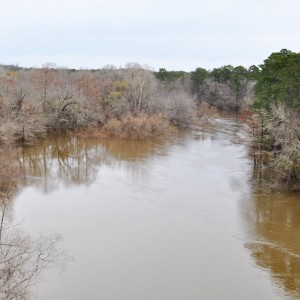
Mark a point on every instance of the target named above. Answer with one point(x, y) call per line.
point(133, 101)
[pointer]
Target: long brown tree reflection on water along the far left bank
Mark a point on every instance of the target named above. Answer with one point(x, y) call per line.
point(71, 160)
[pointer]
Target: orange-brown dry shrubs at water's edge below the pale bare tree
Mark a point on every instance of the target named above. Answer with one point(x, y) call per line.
point(140, 127)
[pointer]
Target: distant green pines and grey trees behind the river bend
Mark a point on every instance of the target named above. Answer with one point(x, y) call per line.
point(227, 87)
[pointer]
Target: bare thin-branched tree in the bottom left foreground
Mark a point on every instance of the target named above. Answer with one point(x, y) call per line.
point(23, 260)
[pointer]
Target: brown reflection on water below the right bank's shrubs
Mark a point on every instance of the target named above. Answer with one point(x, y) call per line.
point(272, 222)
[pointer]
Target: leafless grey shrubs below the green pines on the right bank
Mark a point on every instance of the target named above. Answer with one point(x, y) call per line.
point(274, 142)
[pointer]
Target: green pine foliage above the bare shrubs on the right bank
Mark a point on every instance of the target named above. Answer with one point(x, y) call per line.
point(278, 81)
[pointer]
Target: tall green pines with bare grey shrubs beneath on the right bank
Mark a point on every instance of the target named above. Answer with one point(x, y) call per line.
point(276, 112)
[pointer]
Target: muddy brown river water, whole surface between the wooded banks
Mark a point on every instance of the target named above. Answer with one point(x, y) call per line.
point(166, 219)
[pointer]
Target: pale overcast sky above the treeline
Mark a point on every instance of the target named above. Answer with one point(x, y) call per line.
point(179, 35)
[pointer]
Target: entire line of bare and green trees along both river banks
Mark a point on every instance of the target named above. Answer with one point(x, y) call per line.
point(135, 102)
